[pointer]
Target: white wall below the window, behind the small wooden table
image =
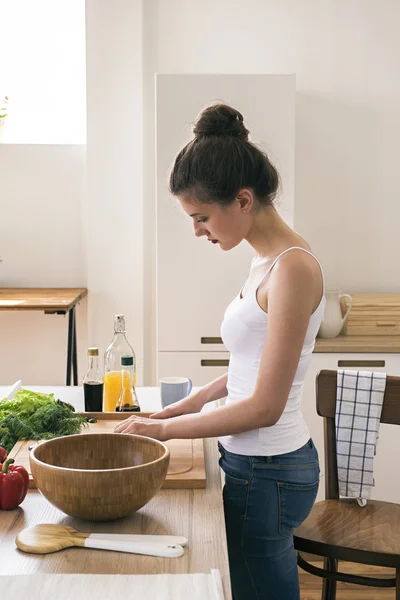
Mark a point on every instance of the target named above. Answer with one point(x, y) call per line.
point(41, 244)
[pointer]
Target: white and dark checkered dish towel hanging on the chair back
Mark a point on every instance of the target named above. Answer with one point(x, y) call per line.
point(359, 401)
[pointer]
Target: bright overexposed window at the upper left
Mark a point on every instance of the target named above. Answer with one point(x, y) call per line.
point(43, 71)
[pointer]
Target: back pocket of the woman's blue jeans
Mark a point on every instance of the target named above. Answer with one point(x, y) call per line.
point(295, 503)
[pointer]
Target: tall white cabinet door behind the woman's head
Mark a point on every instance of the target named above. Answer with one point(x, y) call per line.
point(195, 279)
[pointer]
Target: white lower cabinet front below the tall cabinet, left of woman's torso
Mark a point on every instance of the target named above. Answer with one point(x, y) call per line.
point(200, 367)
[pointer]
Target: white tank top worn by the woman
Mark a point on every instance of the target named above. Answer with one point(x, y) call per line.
point(243, 332)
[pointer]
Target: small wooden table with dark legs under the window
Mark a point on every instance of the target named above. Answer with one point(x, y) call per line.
point(51, 301)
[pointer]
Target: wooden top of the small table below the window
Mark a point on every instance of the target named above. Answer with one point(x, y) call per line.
point(47, 299)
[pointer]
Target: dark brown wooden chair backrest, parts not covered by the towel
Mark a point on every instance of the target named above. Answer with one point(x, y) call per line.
point(326, 407)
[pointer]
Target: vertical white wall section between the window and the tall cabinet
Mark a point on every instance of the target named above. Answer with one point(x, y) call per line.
point(113, 213)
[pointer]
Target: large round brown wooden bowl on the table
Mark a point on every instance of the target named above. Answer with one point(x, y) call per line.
point(99, 476)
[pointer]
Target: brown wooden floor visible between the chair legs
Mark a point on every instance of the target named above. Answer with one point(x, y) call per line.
point(311, 587)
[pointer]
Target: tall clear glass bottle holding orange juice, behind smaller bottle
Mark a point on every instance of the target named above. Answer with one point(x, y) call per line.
point(112, 365)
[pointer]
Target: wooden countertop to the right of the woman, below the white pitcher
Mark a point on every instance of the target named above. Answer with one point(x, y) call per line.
point(359, 343)
